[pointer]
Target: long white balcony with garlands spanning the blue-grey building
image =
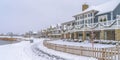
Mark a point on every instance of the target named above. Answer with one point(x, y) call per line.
point(112, 24)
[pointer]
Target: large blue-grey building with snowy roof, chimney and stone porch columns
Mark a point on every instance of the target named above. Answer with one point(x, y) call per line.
point(102, 19)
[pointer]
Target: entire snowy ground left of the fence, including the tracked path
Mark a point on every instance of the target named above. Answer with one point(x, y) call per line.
point(25, 51)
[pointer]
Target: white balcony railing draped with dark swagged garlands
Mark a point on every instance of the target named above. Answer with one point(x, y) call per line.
point(106, 24)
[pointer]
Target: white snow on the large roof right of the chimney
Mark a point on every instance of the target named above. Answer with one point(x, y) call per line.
point(103, 8)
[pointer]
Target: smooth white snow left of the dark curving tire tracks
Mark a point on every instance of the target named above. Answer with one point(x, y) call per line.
point(19, 51)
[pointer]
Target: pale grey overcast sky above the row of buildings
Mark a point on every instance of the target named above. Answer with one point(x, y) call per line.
point(20, 16)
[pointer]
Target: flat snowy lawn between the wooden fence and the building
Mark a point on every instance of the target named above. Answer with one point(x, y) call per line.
point(84, 44)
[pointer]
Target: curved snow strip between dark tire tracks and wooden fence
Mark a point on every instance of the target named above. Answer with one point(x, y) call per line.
point(66, 56)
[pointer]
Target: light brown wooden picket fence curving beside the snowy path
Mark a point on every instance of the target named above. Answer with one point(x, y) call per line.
point(110, 53)
